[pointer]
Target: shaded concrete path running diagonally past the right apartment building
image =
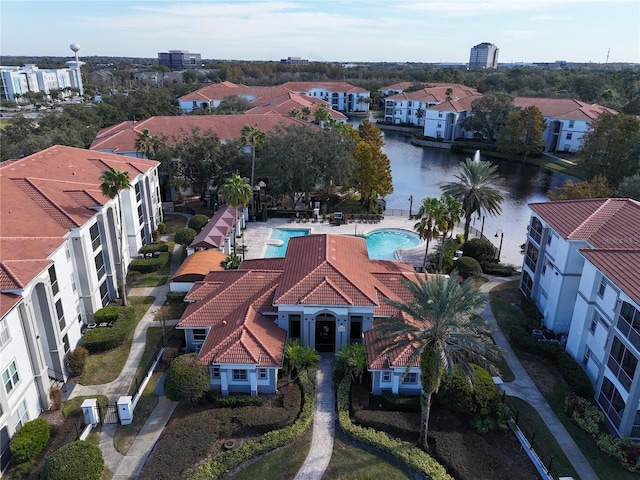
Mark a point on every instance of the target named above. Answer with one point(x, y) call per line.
point(524, 388)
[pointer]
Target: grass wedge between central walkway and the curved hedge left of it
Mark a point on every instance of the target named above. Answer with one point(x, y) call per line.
point(283, 463)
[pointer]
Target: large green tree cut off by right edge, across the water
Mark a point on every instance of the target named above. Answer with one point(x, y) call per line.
point(612, 147)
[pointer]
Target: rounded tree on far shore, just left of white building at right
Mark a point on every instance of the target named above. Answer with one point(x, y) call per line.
point(522, 133)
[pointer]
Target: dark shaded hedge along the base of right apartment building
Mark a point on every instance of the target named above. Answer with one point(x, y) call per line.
point(571, 371)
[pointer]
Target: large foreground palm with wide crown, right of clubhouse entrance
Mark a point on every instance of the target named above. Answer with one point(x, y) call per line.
point(440, 323)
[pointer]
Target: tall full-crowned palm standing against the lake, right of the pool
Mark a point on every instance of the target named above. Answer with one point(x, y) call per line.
point(474, 189)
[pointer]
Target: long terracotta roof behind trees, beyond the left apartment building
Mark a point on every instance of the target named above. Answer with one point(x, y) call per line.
point(122, 137)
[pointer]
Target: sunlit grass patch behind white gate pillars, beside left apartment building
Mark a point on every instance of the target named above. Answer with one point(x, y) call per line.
point(106, 366)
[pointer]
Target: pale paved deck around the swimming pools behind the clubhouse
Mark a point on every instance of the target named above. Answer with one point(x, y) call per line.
point(257, 234)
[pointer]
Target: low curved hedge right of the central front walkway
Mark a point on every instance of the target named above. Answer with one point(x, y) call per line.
point(407, 453)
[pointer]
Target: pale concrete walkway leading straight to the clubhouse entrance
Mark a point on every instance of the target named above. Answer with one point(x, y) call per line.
point(324, 423)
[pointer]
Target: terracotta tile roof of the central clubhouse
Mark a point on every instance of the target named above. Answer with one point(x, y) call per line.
point(240, 306)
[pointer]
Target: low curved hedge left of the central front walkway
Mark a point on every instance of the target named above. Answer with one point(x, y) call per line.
point(230, 459)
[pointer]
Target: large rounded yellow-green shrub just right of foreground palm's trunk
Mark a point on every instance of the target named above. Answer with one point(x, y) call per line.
point(481, 398)
